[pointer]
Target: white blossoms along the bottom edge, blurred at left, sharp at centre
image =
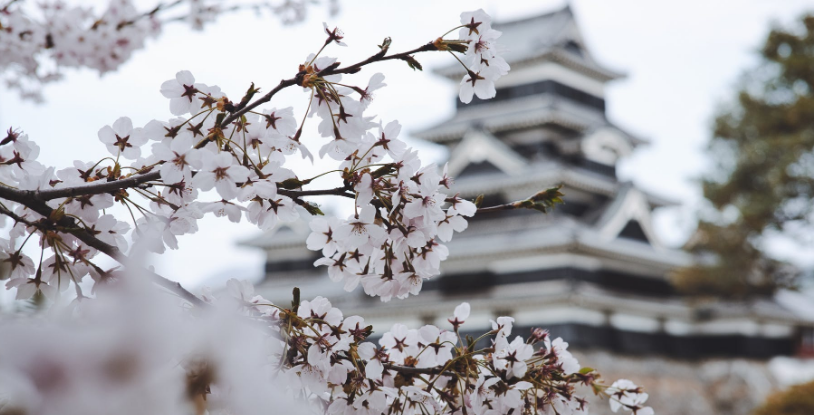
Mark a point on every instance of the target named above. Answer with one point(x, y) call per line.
point(248, 355)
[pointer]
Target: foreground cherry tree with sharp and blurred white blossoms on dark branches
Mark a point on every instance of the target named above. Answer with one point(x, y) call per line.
point(113, 341)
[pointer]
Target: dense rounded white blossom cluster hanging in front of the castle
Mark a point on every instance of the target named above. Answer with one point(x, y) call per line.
point(391, 246)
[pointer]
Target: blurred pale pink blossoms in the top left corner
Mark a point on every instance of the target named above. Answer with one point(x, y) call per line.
point(38, 41)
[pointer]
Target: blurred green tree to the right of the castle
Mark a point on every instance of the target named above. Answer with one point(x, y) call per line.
point(764, 177)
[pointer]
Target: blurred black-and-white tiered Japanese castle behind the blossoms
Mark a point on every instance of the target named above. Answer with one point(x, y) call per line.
point(592, 271)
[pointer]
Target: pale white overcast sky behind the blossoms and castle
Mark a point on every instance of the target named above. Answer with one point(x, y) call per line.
point(682, 60)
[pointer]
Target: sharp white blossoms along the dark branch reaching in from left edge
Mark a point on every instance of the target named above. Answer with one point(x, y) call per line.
point(390, 244)
